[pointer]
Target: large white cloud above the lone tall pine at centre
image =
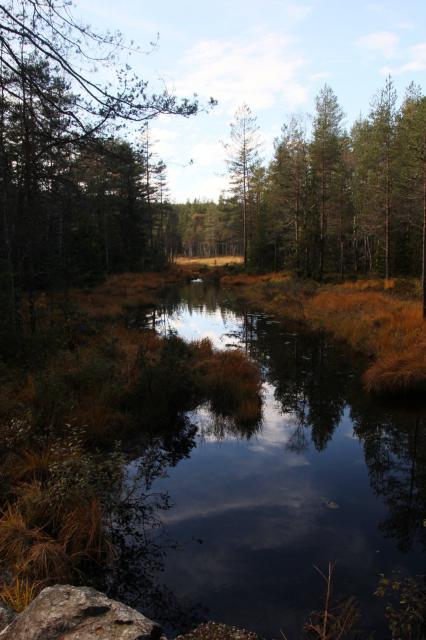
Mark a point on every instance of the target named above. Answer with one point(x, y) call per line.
point(259, 68)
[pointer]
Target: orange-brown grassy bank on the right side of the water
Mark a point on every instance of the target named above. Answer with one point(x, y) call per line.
point(382, 320)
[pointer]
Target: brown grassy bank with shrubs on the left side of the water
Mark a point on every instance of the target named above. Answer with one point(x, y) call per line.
point(82, 383)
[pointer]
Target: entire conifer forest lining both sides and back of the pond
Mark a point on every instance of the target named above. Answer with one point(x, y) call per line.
point(82, 198)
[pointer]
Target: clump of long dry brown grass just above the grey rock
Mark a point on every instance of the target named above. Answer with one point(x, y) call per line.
point(44, 539)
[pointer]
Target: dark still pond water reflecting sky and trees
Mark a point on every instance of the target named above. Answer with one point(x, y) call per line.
point(329, 475)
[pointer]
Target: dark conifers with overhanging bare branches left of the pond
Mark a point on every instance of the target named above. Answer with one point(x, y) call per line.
point(78, 199)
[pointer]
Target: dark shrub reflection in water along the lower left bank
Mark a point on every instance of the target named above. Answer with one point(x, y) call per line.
point(140, 540)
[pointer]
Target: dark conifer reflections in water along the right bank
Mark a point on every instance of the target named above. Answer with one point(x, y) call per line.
point(315, 382)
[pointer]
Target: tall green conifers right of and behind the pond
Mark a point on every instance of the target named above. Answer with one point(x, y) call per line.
point(331, 202)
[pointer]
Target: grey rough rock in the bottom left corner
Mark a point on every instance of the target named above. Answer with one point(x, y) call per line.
point(64, 612)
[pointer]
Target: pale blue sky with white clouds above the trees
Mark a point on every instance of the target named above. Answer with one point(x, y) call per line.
point(274, 55)
